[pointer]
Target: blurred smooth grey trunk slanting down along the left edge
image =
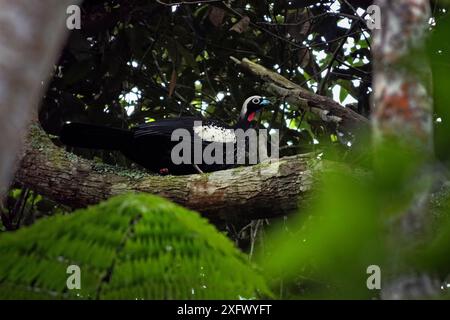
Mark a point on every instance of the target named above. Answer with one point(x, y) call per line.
point(31, 34)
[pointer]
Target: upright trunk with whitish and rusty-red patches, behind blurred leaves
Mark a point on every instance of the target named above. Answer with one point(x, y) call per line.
point(403, 113)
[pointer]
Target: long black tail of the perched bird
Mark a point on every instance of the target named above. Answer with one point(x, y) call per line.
point(95, 137)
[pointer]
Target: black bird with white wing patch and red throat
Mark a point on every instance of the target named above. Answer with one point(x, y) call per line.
point(150, 145)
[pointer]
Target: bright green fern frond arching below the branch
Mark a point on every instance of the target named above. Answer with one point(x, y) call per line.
point(129, 247)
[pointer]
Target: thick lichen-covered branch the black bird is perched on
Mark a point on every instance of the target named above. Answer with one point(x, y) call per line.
point(262, 191)
